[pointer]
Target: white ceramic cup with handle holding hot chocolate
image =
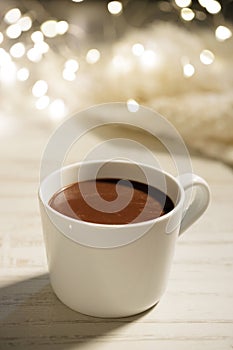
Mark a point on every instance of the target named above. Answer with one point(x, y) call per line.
point(115, 270)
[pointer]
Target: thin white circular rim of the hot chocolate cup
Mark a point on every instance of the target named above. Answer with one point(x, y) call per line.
point(134, 224)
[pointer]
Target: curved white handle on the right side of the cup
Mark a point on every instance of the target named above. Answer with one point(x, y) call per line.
point(200, 202)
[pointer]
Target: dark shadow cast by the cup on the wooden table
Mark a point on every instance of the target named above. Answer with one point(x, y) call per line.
point(32, 317)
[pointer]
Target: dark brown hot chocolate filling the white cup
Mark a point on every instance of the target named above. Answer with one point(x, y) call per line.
point(146, 202)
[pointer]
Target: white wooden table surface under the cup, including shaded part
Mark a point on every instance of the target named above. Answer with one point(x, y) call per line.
point(195, 313)
